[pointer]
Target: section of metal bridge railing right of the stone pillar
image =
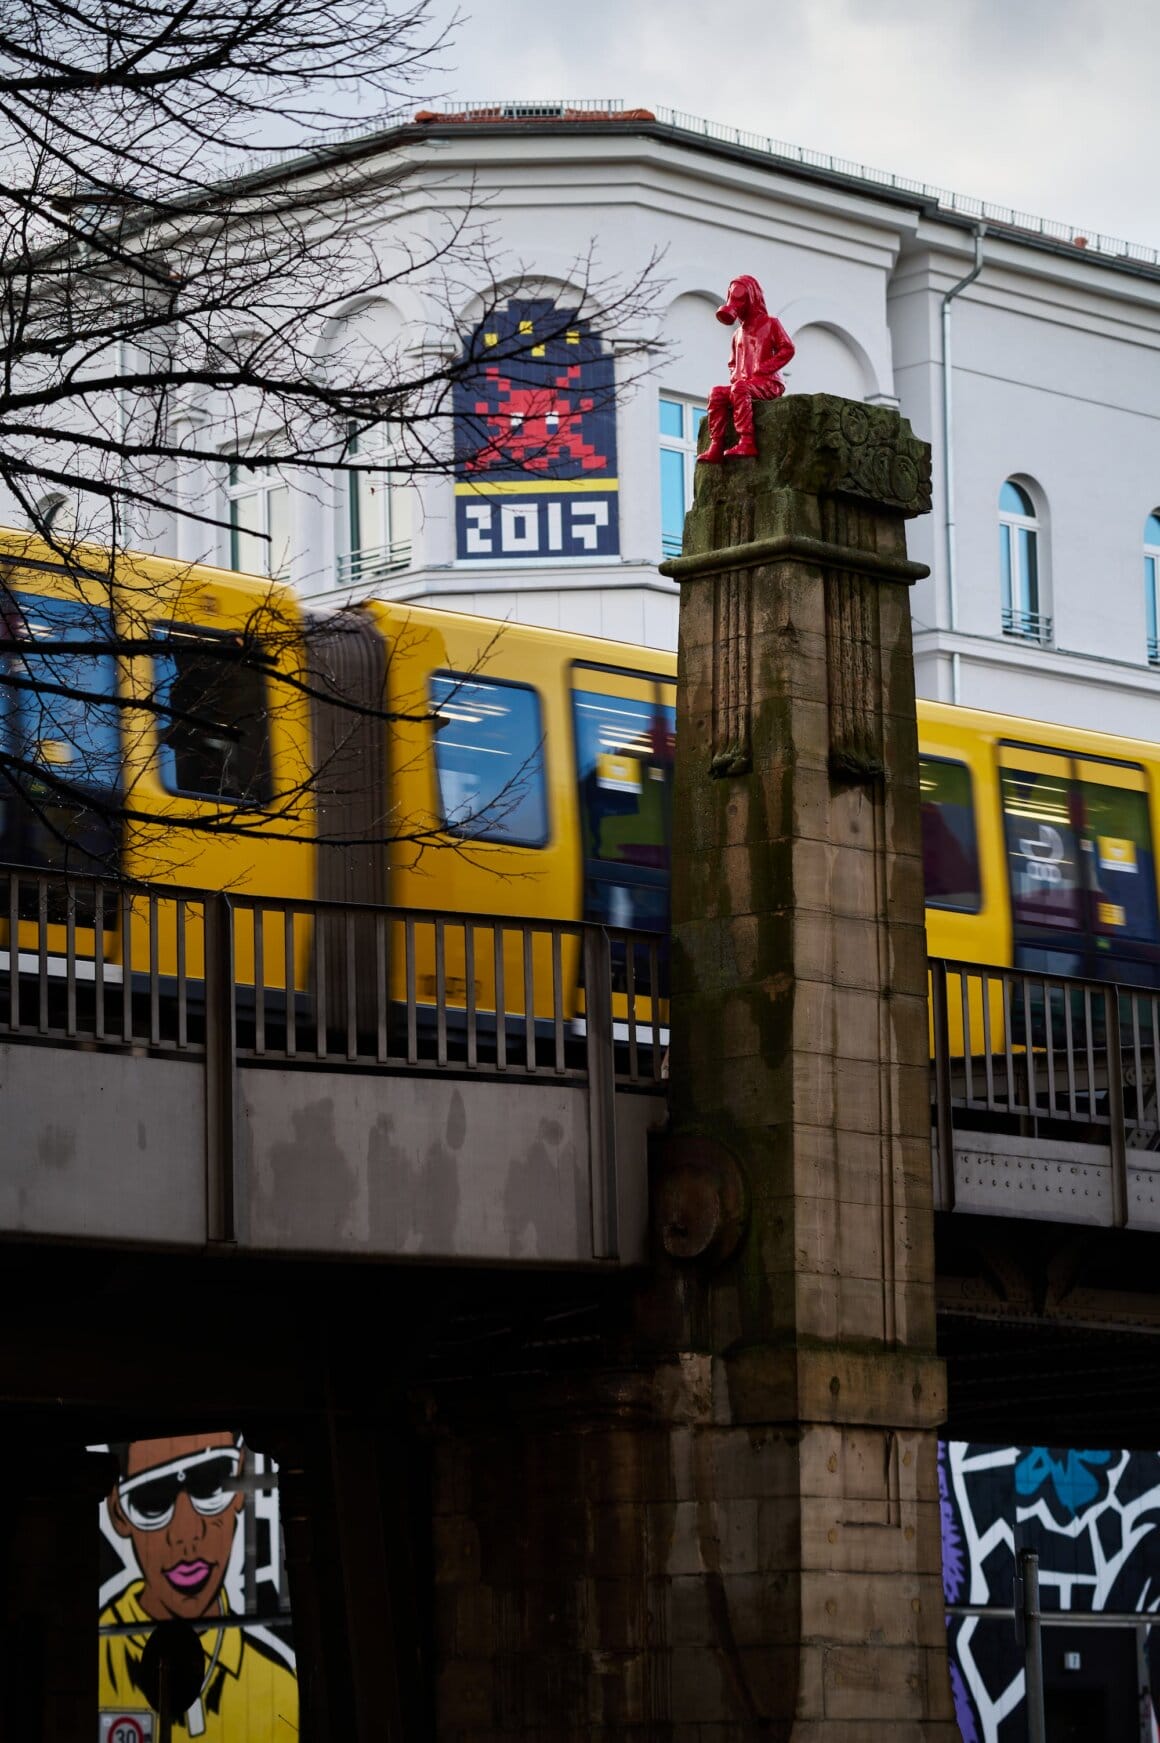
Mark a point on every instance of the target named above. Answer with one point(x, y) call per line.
point(1044, 1055)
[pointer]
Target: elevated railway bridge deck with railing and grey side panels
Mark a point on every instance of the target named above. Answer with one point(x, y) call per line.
point(469, 1094)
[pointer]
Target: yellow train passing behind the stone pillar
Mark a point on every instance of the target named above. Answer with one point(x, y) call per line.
point(177, 724)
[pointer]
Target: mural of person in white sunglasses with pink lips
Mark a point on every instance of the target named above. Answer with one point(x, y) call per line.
point(189, 1536)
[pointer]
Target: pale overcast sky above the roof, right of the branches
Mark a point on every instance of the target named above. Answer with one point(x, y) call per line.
point(1046, 105)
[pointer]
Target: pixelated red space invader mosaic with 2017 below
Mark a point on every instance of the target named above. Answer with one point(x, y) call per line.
point(536, 440)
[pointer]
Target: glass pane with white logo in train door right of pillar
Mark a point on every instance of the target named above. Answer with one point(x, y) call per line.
point(1042, 851)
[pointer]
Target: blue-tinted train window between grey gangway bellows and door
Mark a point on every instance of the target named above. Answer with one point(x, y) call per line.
point(490, 759)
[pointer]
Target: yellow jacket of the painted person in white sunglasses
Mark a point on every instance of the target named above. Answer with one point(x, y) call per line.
point(250, 1695)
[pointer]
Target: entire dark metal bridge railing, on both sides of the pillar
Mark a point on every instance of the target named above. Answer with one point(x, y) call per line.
point(245, 980)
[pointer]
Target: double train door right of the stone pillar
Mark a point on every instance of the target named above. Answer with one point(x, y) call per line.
point(1081, 864)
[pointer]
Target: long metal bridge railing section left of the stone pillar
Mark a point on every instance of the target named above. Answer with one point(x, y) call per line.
point(93, 961)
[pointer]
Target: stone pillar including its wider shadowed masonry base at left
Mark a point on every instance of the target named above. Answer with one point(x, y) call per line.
point(718, 1521)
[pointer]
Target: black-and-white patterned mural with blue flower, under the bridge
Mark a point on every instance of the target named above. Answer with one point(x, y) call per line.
point(1093, 1517)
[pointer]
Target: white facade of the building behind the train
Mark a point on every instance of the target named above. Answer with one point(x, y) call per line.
point(1056, 381)
